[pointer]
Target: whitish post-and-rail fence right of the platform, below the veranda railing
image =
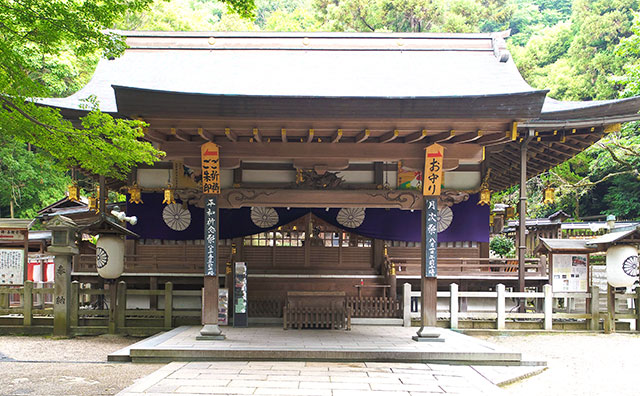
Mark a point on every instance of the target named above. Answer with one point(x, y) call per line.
point(539, 308)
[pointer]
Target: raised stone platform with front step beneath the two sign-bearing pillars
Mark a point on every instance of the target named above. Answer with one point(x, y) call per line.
point(361, 344)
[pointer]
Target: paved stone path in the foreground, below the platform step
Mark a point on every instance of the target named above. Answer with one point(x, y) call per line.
point(322, 379)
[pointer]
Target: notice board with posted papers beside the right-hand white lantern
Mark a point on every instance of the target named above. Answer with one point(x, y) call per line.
point(570, 273)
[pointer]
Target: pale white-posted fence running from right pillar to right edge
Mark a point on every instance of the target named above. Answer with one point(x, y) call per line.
point(546, 306)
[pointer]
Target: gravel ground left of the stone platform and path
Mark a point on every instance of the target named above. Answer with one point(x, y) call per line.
point(49, 367)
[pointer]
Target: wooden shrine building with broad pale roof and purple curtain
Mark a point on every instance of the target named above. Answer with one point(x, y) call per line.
point(322, 142)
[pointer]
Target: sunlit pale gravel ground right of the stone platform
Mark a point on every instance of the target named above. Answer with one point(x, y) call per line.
point(579, 364)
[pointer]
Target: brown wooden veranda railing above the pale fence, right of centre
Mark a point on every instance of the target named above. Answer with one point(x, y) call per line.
point(473, 266)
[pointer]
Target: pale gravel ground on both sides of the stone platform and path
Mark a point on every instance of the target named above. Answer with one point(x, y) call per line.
point(579, 364)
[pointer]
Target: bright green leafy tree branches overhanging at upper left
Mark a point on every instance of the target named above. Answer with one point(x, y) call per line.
point(35, 34)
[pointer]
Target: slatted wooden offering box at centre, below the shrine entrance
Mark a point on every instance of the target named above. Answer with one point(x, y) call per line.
point(318, 310)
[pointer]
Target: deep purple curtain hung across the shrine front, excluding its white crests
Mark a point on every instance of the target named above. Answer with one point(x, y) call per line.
point(470, 222)
